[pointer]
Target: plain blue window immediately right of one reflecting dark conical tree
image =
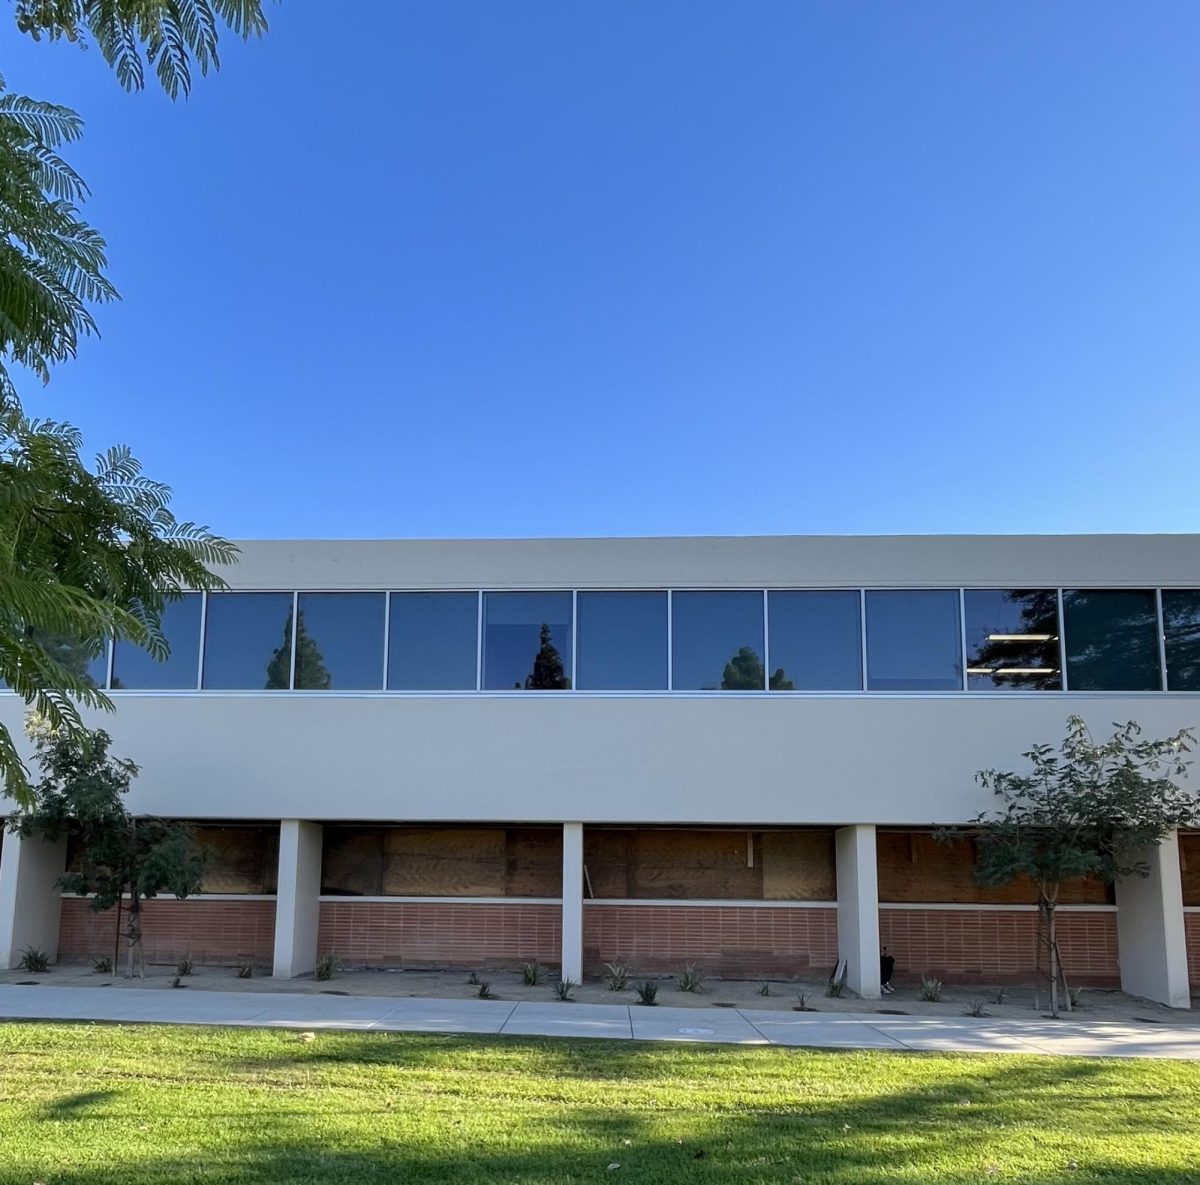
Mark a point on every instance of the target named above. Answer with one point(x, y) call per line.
point(623, 641)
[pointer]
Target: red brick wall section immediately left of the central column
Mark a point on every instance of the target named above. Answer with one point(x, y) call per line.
point(441, 934)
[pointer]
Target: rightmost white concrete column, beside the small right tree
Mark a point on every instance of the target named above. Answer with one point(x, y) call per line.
point(1150, 930)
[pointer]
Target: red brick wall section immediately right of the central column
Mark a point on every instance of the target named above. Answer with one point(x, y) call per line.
point(734, 941)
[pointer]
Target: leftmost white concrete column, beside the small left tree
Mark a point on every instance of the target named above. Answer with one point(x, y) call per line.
point(31, 899)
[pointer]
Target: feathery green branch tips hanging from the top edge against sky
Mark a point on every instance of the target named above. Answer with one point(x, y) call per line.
point(171, 37)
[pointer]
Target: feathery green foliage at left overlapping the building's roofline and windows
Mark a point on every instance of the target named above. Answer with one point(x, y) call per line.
point(86, 556)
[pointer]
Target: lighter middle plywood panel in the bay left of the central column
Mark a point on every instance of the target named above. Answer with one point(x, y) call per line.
point(445, 863)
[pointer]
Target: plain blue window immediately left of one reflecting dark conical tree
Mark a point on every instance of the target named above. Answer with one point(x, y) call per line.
point(434, 645)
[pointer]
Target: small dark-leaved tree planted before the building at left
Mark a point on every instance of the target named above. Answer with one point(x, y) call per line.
point(123, 856)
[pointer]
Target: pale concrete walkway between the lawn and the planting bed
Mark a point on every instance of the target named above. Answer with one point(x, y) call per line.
point(825, 1031)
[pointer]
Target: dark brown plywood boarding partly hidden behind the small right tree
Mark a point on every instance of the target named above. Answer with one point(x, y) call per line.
point(916, 868)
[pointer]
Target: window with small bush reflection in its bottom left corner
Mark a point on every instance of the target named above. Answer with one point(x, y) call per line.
point(817, 641)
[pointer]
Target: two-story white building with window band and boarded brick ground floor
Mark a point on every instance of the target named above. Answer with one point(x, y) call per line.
point(657, 751)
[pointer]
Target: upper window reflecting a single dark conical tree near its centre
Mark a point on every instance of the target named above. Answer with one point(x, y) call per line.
point(527, 641)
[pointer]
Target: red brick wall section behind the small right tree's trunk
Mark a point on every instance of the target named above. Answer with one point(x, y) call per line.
point(986, 947)
